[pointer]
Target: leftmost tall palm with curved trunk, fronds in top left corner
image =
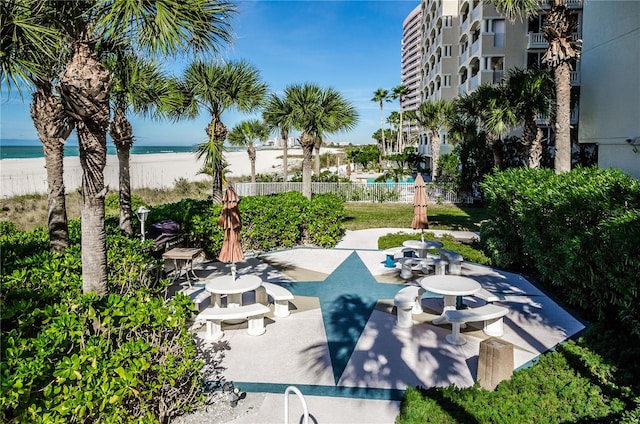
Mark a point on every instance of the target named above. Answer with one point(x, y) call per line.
point(25, 65)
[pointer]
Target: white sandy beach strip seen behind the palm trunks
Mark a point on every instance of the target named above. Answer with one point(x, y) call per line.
point(161, 170)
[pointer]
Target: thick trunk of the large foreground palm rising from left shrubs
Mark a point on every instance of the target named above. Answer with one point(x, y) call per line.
point(85, 86)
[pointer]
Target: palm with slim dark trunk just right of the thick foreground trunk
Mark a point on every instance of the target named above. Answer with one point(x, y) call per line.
point(139, 86)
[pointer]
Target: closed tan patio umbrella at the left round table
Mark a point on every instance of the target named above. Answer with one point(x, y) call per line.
point(229, 220)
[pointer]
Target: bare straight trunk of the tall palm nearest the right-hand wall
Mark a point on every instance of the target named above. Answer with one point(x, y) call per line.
point(563, 118)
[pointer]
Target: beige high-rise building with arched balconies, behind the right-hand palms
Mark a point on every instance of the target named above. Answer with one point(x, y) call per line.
point(466, 43)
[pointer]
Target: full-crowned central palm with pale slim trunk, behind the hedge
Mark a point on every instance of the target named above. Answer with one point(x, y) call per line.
point(318, 112)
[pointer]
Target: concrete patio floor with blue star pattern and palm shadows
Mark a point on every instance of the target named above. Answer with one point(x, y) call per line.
point(340, 345)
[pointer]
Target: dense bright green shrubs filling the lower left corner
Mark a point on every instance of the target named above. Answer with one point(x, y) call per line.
point(69, 357)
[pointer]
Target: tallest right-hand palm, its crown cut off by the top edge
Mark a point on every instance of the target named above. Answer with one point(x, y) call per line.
point(562, 52)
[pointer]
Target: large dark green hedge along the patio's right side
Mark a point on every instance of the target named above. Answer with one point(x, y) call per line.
point(578, 230)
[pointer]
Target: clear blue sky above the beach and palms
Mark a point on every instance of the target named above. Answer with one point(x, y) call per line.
point(352, 46)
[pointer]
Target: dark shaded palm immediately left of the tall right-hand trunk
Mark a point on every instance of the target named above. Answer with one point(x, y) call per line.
point(531, 91)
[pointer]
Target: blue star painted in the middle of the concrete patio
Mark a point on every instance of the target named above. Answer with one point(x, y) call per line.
point(347, 297)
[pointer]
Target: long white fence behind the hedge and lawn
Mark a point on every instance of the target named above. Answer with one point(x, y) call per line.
point(359, 192)
